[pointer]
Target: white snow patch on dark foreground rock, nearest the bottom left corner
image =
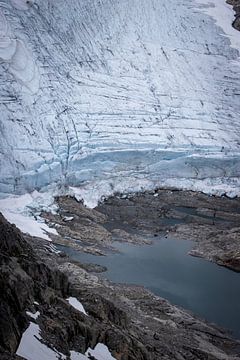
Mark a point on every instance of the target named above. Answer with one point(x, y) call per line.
point(31, 347)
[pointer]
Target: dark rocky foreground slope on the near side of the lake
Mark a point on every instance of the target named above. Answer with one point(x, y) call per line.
point(131, 321)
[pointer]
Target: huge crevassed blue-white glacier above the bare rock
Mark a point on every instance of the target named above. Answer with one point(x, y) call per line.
point(86, 84)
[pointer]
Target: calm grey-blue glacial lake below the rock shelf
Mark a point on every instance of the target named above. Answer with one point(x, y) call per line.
point(208, 290)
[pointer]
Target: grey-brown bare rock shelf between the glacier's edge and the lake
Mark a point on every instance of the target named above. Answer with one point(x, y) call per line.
point(212, 223)
